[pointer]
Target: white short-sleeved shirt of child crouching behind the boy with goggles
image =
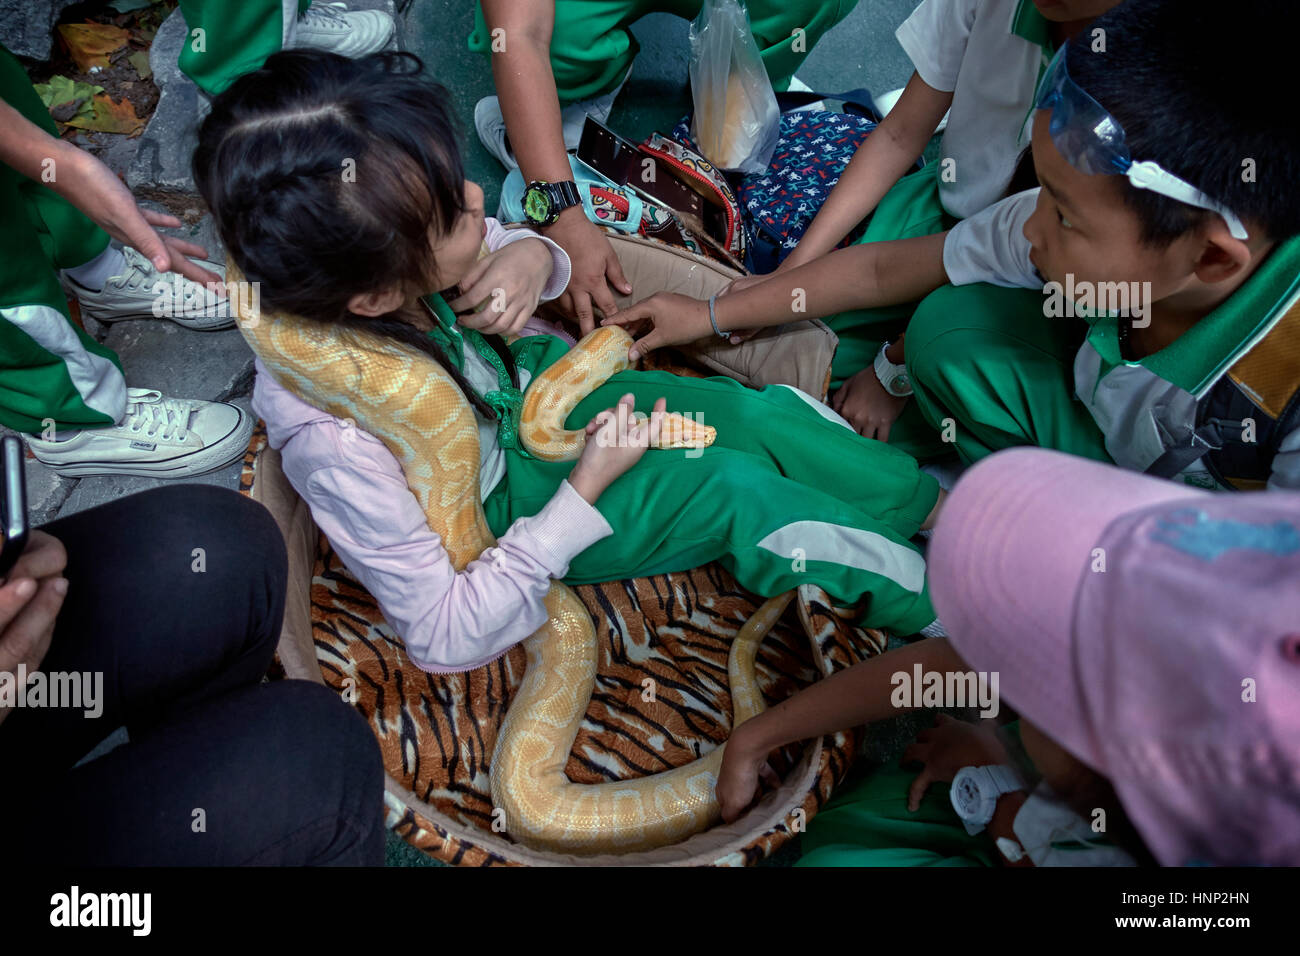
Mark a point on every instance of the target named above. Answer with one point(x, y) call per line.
point(990, 55)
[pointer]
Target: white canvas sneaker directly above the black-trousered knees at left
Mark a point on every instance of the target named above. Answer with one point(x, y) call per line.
point(159, 438)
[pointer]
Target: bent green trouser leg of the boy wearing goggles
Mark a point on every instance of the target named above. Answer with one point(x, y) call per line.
point(994, 373)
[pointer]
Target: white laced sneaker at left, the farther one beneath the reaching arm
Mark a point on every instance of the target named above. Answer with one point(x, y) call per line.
point(142, 292)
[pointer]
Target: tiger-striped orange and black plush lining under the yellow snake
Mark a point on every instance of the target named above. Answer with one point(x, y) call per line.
point(437, 732)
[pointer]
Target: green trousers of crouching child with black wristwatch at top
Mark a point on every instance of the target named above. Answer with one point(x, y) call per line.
point(592, 47)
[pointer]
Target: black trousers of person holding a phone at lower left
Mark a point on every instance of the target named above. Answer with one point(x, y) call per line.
point(220, 769)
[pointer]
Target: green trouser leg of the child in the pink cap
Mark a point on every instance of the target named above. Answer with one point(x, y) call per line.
point(870, 825)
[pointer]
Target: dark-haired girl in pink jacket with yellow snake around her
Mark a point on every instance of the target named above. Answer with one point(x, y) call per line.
point(337, 187)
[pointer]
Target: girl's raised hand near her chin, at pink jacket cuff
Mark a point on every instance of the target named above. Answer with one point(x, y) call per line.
point(508, 284)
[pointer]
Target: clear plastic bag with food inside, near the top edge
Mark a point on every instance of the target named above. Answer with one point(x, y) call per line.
point(736, 120)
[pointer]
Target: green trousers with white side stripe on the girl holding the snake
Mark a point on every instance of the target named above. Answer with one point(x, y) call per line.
point(785, 498)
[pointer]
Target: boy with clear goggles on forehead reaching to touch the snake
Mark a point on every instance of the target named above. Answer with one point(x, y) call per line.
point(1143, 306)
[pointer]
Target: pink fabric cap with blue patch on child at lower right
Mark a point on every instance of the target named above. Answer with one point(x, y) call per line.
point(1151, 629)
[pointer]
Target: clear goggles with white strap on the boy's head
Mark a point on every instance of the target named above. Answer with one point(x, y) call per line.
point(1094, 142)
